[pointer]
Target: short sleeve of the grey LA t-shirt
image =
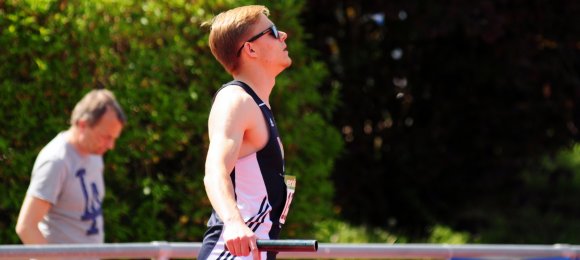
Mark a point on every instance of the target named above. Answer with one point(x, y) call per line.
point(47, 181)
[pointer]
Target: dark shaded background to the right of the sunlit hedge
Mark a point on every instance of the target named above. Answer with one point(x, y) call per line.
point(456, 113)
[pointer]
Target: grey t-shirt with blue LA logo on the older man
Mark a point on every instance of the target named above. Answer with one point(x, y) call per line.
point(74, 185)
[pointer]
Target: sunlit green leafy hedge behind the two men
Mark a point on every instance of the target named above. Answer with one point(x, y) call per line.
point(154, 56)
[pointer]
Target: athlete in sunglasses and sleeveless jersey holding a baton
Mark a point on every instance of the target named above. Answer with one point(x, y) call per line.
point(244, 170)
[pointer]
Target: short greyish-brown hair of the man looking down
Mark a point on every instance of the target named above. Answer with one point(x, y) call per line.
point(94, 105)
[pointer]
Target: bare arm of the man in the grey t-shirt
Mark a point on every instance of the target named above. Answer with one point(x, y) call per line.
point(31, 213)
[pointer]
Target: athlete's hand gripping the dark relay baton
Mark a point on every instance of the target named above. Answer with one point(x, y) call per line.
point(240, 240)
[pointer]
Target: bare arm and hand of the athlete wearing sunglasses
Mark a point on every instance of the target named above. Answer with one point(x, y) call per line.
point(228, 122)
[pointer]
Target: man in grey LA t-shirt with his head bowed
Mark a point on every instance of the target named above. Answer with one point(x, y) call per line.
point(63, 201)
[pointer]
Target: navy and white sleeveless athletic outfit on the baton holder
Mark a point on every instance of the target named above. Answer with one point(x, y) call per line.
point(259, 188)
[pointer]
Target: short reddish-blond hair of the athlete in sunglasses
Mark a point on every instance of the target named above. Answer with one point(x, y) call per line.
point(228, 31)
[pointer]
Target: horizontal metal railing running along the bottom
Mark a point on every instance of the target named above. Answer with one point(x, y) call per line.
point(176, 250)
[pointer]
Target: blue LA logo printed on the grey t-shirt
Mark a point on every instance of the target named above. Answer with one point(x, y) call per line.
point(92, 203)
